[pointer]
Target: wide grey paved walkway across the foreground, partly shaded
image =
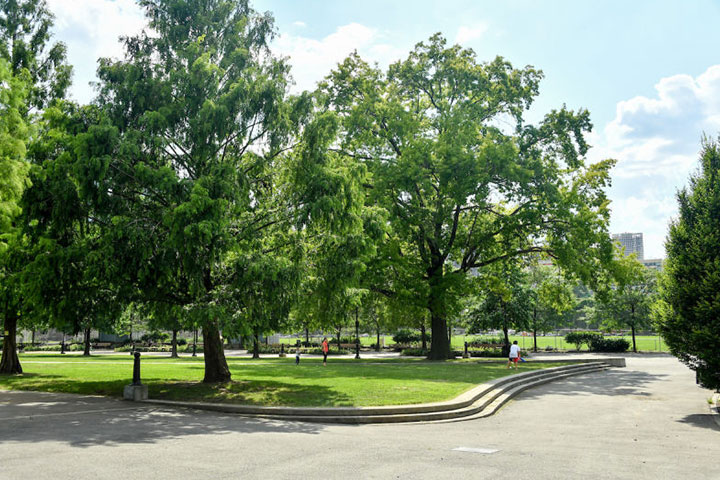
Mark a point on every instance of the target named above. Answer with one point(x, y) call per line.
point(648, 420)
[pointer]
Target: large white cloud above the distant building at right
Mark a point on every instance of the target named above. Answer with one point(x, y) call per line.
point(656, 143)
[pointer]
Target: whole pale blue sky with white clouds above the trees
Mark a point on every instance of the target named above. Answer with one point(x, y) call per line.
point(648, 71)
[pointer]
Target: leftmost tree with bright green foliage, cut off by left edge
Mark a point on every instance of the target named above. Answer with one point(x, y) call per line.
point(33, 74)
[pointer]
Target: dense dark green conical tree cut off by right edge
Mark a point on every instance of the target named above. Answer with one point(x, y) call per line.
point(689, 309)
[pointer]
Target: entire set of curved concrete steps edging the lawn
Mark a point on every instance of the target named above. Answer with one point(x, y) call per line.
point(467, 404)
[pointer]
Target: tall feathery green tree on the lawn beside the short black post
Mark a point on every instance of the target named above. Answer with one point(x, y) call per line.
point(198, 171)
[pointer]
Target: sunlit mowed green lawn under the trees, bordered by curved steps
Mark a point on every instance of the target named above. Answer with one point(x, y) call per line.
point(343, 382)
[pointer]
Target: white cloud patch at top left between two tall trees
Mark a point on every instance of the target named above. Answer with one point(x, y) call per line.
point(91, 30)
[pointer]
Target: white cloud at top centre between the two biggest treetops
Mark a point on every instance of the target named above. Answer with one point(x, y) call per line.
point(312, 59)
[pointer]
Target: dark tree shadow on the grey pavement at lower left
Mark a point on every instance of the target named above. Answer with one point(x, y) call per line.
point(82, 421)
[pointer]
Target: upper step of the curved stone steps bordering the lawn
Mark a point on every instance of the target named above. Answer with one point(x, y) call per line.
point(462, 401)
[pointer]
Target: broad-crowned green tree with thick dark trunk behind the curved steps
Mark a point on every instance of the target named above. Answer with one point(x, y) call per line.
point(466, 182)
